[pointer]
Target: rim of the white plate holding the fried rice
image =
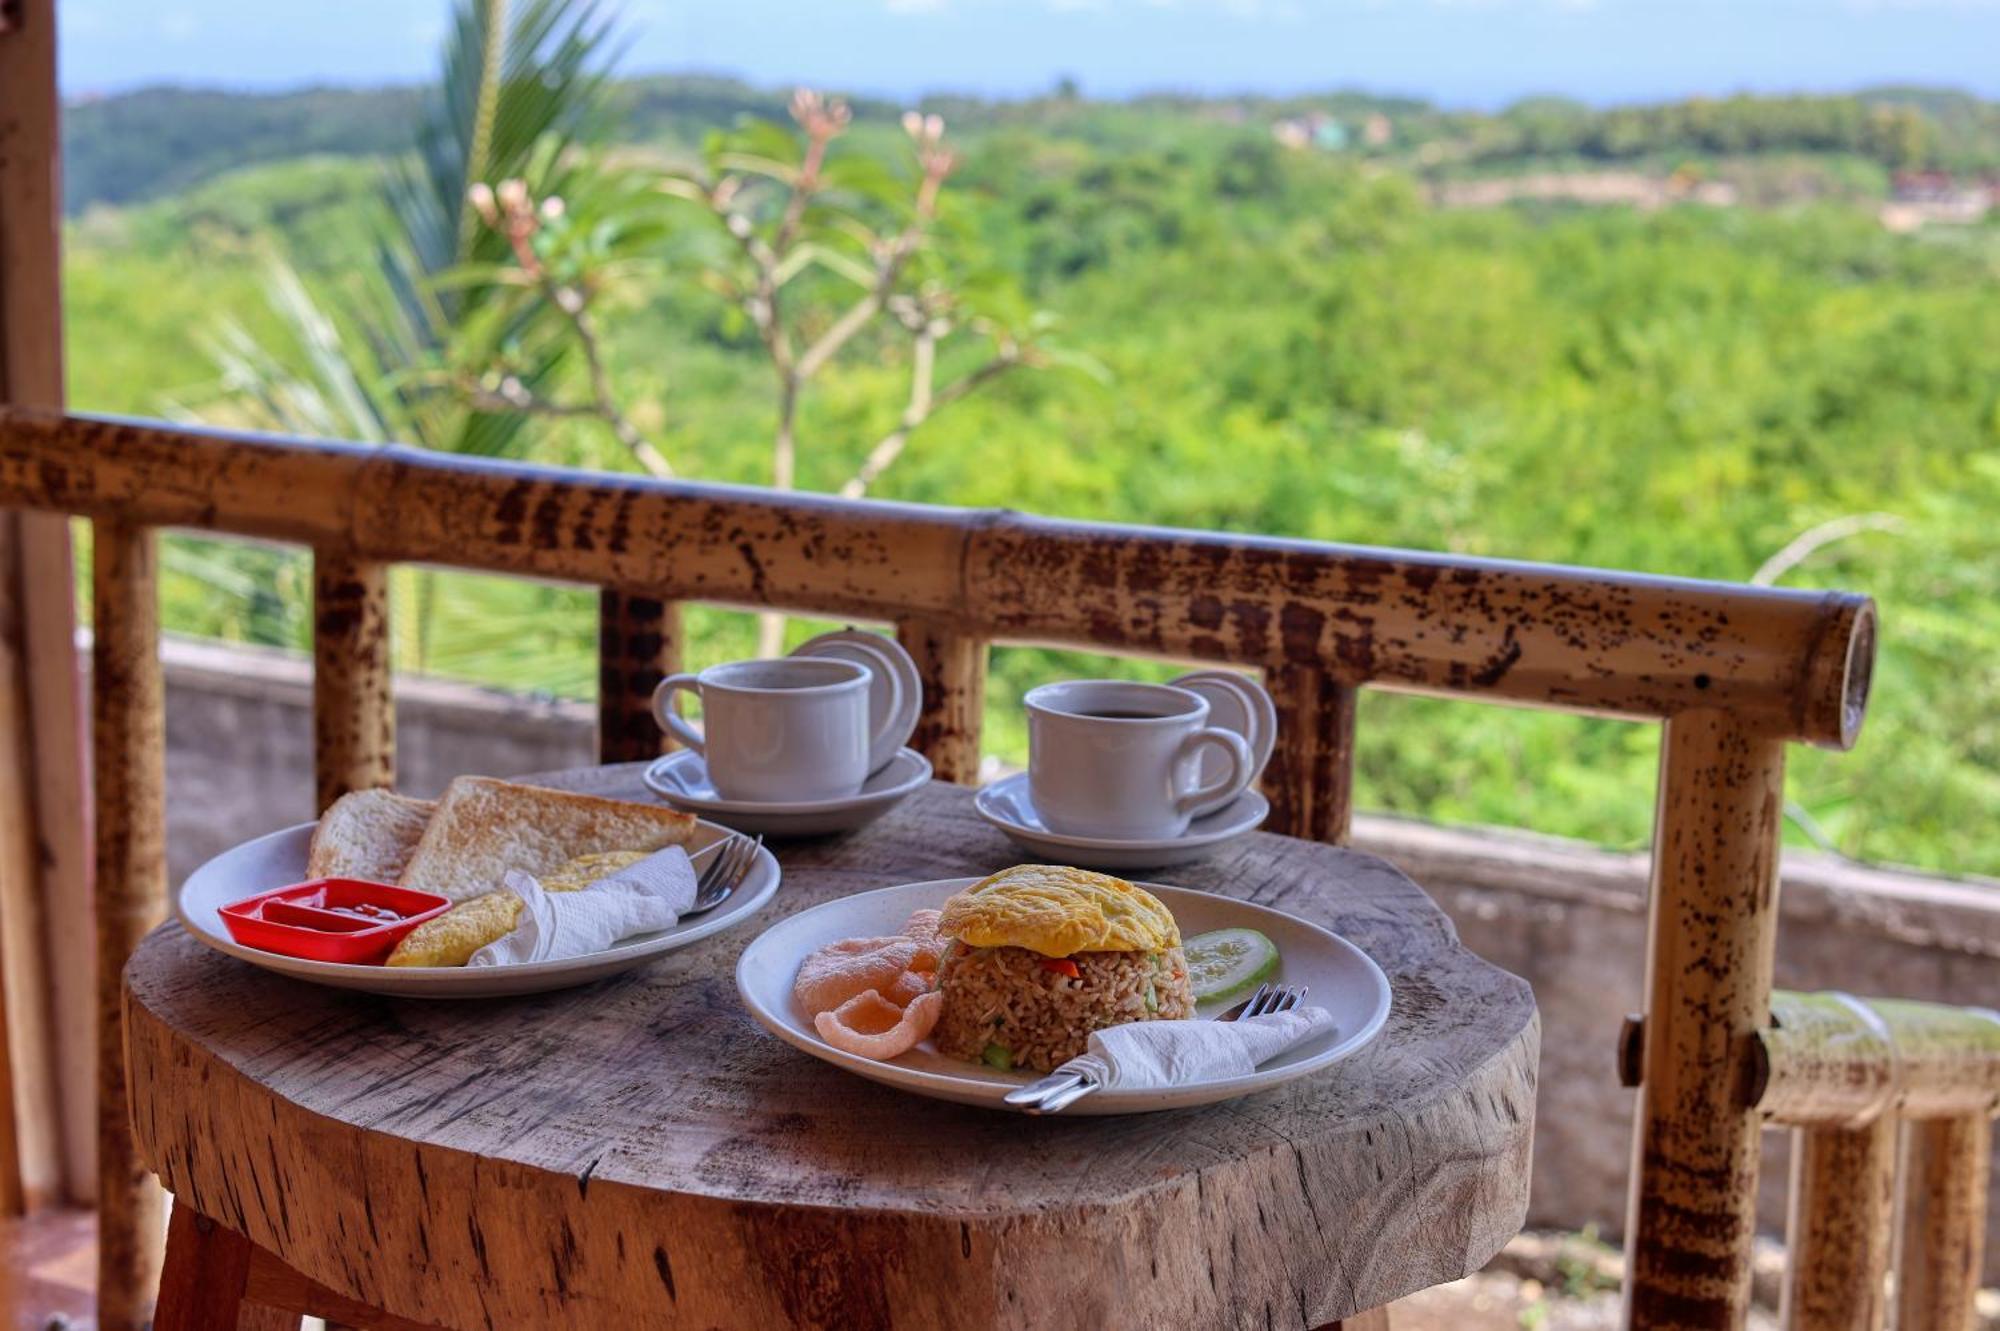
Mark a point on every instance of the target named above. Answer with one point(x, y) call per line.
point(987, 1094)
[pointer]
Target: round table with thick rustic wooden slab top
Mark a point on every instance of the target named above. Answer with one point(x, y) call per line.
point(639, 1154)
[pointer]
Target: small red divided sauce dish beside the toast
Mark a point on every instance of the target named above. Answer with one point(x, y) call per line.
point(331, 920)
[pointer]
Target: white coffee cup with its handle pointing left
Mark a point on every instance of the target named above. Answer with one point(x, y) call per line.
point(777, 732)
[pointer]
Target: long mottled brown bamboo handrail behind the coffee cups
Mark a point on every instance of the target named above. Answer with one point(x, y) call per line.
point(1783, 665)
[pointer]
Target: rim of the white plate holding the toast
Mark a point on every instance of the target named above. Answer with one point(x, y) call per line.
point(339, 974)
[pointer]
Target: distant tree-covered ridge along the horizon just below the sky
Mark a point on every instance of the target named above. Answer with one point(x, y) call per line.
point(159, 141)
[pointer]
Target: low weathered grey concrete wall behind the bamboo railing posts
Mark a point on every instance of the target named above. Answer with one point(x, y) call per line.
point(1565, 916)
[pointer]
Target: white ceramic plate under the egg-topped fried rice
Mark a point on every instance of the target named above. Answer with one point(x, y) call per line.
point(1339, 976)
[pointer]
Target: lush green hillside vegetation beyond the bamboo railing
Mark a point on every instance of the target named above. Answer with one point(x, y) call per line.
point(1293, 343)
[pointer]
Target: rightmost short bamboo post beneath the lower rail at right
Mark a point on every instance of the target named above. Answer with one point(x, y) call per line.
point(1941, 1238)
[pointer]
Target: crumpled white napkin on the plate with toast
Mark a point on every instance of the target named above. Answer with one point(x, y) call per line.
point(569, 924)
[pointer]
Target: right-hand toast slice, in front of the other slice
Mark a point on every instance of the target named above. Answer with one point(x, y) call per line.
point(483, 828)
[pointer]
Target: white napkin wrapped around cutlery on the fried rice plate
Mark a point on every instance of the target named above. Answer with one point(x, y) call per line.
point(1155, 1056)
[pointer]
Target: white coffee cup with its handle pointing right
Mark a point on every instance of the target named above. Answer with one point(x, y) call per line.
point(1123, 760)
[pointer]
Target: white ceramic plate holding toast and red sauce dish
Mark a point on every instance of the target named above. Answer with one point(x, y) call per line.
point(281, 858)
